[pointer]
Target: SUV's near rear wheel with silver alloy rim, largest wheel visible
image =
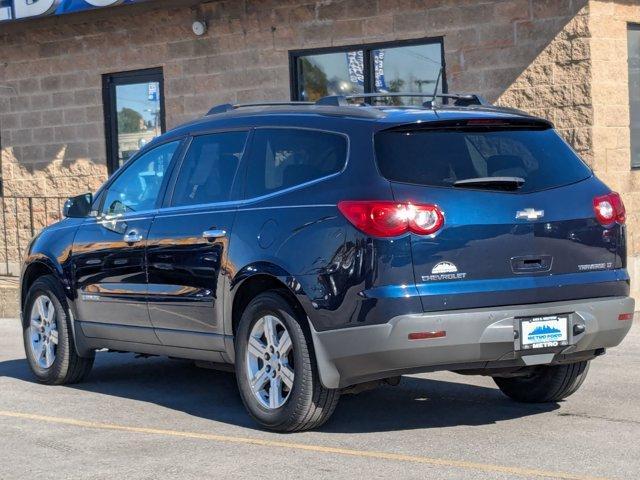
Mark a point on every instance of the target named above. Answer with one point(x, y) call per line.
point(288, 368)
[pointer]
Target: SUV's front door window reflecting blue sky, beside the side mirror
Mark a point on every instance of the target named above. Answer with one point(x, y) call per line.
point(137, 188)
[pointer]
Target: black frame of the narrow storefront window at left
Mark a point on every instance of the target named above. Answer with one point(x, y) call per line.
point(109, 83)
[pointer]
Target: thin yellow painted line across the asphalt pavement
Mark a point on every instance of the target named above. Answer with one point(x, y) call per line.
point(398, 457)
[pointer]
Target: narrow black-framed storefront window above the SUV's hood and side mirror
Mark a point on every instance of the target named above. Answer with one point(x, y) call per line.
point(134, 113)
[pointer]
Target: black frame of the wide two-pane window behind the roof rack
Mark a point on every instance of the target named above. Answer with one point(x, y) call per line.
point(367, 48)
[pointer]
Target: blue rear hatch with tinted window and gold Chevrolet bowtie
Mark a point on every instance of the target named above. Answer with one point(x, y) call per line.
point(519, 214)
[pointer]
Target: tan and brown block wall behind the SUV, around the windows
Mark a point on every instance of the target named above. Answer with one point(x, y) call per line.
point(533, 54)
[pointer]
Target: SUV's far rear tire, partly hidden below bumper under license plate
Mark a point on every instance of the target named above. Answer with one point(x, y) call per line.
point(545, 384)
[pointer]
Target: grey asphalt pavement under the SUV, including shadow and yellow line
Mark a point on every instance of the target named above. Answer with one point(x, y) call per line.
point(156, 418)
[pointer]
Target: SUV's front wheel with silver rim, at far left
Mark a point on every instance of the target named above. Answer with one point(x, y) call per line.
point(48, 336)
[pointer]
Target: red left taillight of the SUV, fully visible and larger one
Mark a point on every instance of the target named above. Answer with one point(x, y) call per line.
point(390, 219)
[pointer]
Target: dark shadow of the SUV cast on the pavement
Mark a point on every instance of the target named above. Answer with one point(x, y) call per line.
point(179, 385)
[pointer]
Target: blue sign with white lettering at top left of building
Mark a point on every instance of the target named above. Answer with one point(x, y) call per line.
point(22, 9)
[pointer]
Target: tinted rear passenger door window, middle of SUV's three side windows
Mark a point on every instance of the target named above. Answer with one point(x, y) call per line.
point(209, 168)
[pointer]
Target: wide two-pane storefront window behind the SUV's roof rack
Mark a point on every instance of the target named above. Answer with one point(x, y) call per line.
point(412, 67)
